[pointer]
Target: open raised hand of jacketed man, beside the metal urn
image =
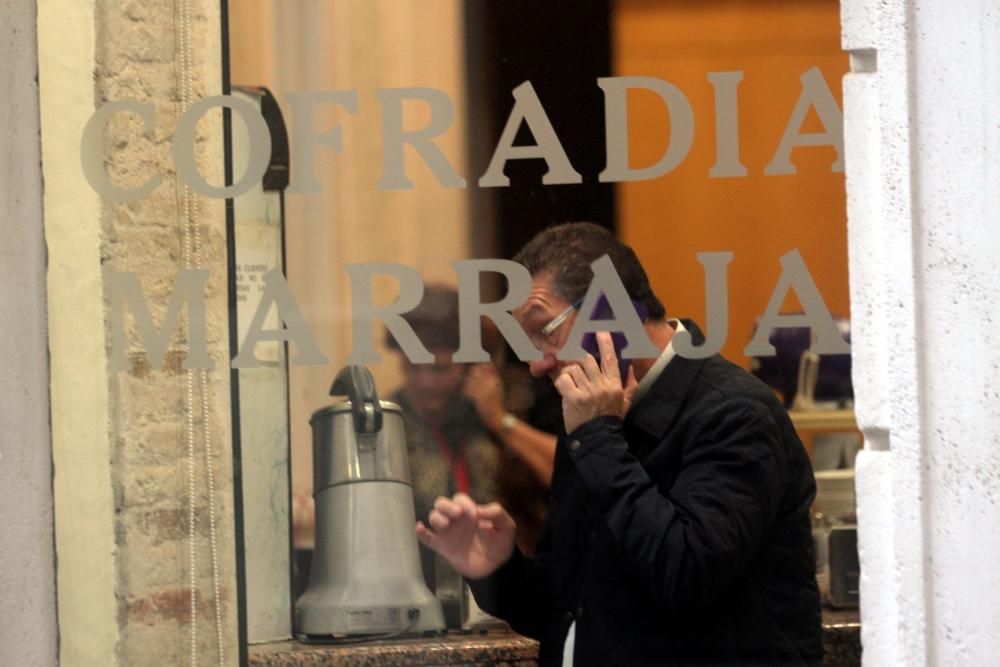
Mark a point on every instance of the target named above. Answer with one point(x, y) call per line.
point(473, 539)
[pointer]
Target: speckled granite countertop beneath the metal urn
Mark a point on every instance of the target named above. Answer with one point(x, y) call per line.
point(841, 641)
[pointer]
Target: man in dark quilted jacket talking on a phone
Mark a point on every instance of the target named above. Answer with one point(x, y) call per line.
point(678, 528)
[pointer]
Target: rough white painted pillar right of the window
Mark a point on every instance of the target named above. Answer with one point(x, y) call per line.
point(922, 139)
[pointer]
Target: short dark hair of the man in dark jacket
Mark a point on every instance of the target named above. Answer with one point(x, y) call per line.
point(566, 251)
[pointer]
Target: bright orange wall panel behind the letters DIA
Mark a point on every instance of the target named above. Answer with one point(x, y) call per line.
point(669, 219)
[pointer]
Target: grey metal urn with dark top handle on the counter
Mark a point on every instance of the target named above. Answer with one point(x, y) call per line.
point(365, 579)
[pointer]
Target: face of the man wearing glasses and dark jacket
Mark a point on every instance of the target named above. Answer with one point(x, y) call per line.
point(542, 306)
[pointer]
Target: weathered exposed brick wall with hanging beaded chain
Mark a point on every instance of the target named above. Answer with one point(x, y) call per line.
point(139, 56)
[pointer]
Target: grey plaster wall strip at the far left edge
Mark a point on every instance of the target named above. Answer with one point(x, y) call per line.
point(27, 574)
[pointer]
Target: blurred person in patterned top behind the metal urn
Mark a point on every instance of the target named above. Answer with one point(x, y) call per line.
point(460, 436)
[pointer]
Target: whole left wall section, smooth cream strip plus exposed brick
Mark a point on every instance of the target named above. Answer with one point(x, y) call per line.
point(121, 440)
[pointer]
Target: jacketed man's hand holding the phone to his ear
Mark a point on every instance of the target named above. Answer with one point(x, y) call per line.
point(590, 390)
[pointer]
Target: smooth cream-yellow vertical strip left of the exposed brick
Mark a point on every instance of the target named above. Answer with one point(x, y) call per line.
point(84, 504)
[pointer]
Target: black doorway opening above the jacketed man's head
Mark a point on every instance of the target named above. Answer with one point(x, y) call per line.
point(562, 47)
